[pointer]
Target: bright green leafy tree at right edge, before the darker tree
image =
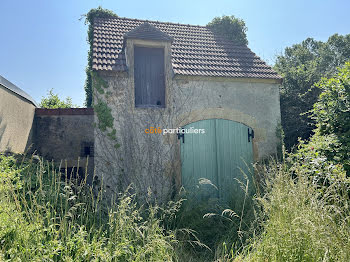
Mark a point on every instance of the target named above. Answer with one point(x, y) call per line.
point(332, 114)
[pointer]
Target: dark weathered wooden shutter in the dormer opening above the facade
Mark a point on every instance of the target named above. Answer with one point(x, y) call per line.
point(149, 77)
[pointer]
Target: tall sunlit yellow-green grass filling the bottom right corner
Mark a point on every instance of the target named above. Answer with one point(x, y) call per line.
point(299, 220)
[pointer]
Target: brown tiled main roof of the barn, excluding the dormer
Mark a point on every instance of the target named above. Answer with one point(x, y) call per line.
point(196, 50)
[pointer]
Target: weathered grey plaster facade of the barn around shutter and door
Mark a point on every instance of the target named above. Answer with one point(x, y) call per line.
point(153, 160)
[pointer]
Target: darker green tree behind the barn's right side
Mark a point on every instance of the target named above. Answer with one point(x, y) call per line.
point(302, 65)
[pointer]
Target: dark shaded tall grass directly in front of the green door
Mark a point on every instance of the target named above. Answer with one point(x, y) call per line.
point(217, 225)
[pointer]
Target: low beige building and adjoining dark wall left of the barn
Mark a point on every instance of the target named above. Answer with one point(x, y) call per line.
point(65, 135)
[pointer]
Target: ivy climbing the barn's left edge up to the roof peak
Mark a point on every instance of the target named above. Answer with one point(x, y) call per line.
point(89, 18)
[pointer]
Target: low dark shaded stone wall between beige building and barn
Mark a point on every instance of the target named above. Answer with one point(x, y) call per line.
point(65, 135)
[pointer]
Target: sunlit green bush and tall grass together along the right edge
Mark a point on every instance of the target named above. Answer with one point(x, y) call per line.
point(304, 212)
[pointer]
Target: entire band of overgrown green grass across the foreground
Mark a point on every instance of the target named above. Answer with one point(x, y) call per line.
point(300, 212)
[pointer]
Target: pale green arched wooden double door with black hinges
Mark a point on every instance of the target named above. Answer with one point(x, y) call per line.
point(220, 155)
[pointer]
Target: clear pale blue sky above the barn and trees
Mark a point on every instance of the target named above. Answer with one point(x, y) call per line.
point(43, 42)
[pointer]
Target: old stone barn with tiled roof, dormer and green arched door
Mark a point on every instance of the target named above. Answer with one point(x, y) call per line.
point(159, 76)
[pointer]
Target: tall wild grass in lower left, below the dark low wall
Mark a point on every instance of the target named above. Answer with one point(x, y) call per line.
point(47, 217)
